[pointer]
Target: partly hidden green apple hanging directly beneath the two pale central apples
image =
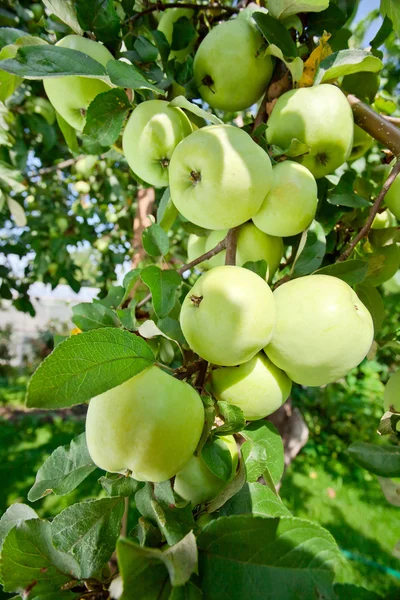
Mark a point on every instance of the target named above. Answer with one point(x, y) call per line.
point(258, 387)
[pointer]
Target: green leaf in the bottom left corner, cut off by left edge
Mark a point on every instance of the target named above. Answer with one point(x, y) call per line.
point(29, 560)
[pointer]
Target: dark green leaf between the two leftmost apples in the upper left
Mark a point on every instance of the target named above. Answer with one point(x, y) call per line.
point(105, 116)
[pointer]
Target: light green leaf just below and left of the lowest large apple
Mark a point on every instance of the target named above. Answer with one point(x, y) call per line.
point(62, 472)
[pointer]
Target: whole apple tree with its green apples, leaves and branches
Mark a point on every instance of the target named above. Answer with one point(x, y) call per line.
point(258, 141)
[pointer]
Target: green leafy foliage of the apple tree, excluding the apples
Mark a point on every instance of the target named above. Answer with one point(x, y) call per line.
point(68, 203)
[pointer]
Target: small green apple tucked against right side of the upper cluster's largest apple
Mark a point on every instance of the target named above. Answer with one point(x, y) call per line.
point(291, 203)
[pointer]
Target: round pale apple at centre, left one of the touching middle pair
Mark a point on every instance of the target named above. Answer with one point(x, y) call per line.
point(228, 315)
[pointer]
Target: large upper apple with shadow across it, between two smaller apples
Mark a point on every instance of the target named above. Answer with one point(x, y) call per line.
point(219, 177)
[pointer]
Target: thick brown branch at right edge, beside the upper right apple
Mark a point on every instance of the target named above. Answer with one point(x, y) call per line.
point(376, 125)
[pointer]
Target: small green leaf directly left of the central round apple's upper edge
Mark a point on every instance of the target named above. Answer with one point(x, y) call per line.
point(163, 286)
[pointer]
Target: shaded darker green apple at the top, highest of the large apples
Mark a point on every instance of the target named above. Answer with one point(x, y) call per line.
point(230, 69)
